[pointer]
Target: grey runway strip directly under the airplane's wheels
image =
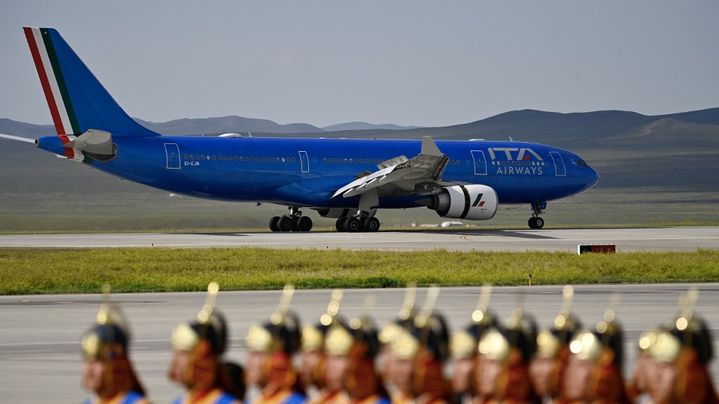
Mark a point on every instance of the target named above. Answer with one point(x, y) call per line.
point(651, 239)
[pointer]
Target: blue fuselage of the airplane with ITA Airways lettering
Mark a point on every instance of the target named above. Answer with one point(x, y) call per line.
point(307, 171)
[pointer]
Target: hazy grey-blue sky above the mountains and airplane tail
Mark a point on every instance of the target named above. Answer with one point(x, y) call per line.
point(406, 62)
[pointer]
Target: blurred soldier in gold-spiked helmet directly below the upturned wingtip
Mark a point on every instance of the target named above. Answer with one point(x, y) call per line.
point(419, 356)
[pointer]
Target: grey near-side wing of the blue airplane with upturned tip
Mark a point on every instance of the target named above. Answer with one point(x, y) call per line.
point(400, 175)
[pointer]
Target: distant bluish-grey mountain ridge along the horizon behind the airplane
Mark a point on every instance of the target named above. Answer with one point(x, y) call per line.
point(525, 124)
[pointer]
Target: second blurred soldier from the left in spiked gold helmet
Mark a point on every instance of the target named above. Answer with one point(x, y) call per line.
point(197, 363)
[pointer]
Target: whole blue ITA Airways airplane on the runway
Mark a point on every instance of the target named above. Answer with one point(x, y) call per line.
point(346, 179)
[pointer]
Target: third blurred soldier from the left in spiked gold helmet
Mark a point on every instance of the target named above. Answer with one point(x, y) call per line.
point(271, 347)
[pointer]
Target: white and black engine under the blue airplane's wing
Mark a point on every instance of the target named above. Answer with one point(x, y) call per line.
point(472, 202)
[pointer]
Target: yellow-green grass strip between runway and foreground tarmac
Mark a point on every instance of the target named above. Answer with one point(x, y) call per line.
point(33, 271)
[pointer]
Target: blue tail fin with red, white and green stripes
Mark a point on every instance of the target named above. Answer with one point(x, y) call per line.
point(77, 100)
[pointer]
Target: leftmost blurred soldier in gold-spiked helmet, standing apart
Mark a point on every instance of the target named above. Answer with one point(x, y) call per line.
point(107, 370)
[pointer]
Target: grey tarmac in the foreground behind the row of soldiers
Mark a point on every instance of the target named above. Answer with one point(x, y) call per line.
point(39, 343)
